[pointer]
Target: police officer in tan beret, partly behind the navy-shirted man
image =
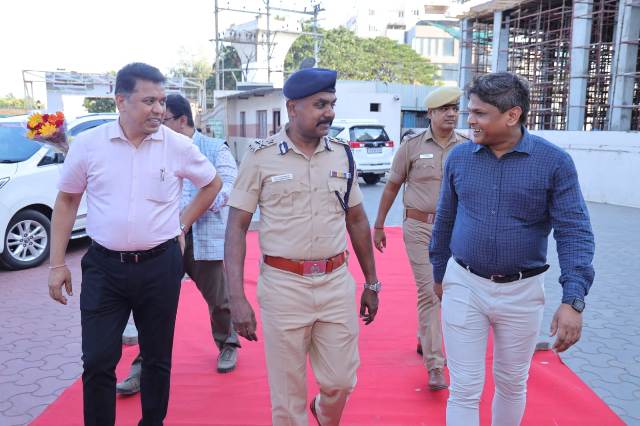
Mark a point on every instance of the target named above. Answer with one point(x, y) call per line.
point(419, 164)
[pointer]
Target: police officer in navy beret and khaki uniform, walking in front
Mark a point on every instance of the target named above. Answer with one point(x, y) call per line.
point(305, 185)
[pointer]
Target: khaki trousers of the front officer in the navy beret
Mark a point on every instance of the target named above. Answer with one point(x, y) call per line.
point(315, 316)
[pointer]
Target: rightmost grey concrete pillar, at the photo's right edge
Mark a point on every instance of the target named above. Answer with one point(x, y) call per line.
point(624, 65)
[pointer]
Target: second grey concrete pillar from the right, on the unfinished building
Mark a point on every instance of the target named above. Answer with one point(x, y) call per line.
point(580, 40)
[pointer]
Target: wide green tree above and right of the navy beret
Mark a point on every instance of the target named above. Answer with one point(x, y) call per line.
point(358, 58)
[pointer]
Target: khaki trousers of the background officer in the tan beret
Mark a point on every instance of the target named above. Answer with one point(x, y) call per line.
point(417, 236)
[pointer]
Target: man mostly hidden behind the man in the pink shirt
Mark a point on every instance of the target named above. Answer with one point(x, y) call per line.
point(204, 250)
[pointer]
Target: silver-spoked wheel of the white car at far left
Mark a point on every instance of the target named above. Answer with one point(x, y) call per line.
point(27, 240)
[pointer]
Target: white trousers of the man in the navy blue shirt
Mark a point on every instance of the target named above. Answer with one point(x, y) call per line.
point(470, 306)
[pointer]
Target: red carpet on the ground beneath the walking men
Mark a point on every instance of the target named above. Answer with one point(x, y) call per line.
point(391, 381)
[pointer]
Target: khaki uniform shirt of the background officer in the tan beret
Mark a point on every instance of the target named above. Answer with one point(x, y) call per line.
point(419, 164)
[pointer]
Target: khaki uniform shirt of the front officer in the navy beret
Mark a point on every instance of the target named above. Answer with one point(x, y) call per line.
point(300, 216)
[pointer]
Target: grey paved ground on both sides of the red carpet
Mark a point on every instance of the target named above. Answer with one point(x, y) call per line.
point(40, 340)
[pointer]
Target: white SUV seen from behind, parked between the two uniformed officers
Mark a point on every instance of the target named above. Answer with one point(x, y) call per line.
point(372, 149)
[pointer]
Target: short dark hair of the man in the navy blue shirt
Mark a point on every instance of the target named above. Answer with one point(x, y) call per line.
point(504, 90)
